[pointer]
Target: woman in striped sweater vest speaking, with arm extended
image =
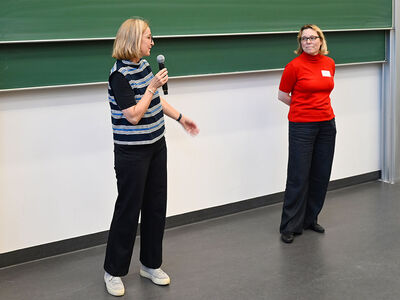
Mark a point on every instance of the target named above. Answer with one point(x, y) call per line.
point(137, 114)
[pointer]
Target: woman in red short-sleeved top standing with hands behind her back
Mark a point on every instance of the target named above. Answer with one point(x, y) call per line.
point(306, 84)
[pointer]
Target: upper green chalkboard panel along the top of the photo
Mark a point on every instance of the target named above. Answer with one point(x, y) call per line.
point(74, 19)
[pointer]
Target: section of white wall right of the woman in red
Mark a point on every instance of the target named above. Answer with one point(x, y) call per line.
point(356, 101)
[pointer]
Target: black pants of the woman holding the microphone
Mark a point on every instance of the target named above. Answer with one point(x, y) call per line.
point(142, 186)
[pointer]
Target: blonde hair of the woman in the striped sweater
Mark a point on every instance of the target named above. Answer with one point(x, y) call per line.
point(129, 38)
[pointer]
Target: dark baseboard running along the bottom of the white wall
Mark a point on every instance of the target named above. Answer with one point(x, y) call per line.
point(91, 240)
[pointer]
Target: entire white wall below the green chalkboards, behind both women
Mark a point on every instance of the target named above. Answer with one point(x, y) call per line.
point(56, 162)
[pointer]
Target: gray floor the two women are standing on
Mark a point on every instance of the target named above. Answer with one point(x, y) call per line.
point(241, 257)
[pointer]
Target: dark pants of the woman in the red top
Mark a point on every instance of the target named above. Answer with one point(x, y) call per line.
point(311, 149)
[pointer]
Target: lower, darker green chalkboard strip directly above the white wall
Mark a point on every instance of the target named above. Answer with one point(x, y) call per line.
point(48, 64)
